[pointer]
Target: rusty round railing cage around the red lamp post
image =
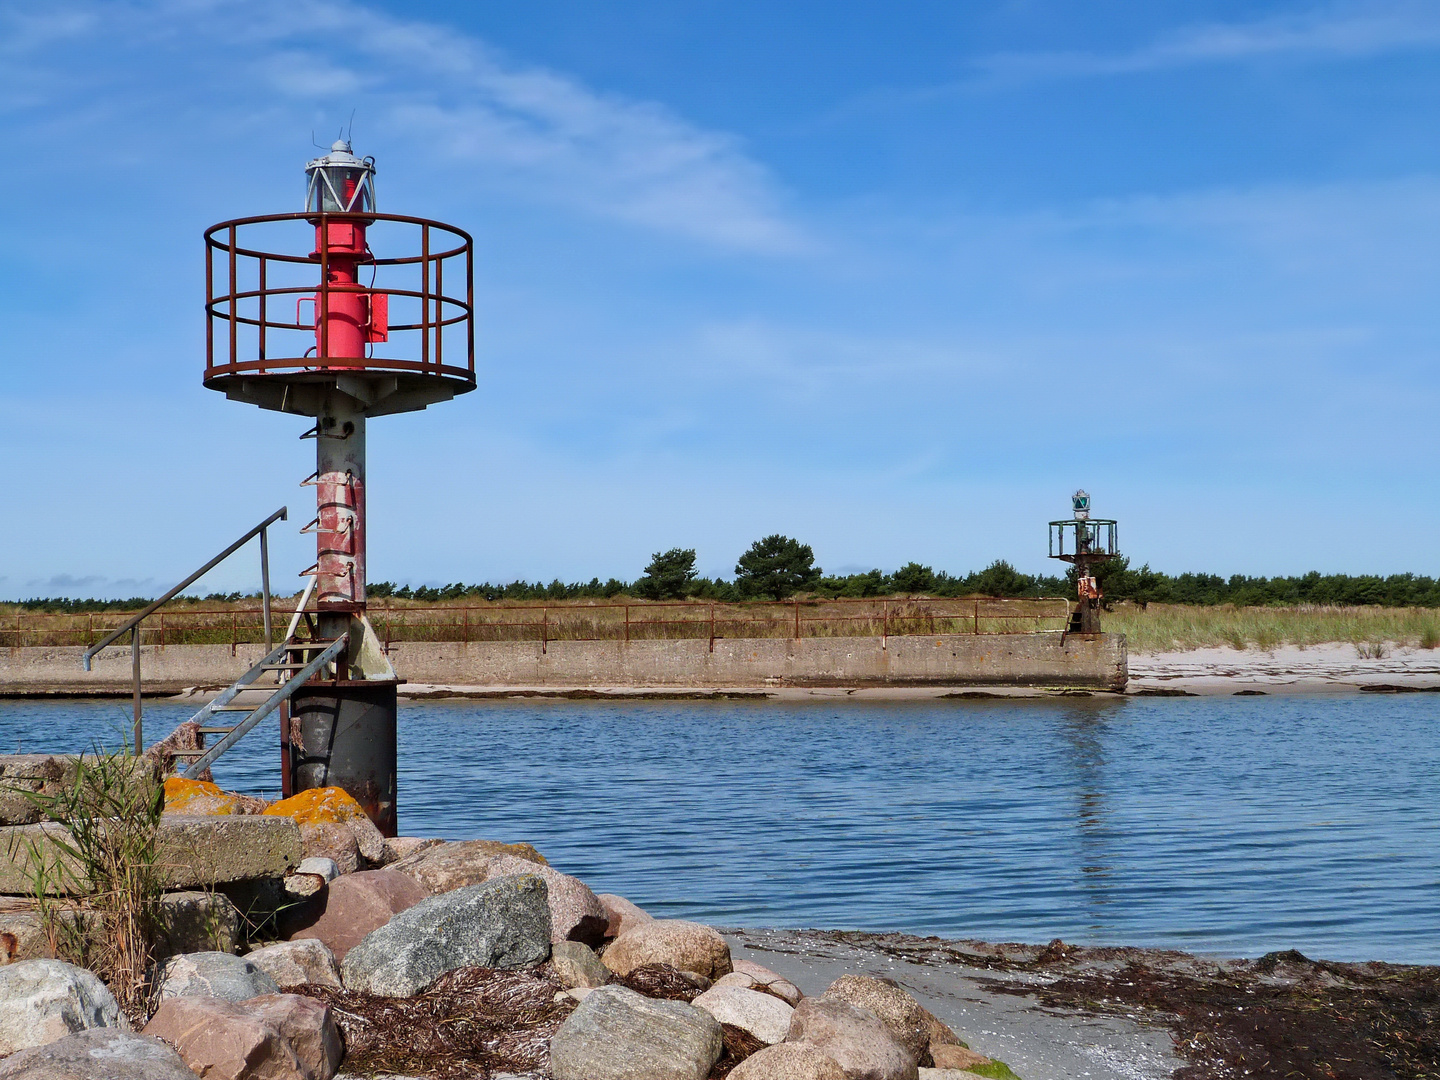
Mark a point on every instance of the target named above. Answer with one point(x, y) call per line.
point(257, 290)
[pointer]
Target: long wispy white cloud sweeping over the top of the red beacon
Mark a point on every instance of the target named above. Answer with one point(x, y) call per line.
point(446, 94)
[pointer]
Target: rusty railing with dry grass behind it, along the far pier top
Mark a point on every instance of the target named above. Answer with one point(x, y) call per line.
point(469, 621)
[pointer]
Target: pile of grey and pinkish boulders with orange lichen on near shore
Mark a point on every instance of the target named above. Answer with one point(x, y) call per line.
point(426, 958)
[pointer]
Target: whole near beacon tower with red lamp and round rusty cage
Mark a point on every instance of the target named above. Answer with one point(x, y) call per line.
point(390, 302)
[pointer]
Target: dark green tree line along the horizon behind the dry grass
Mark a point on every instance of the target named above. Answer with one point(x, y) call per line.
point(777, 568)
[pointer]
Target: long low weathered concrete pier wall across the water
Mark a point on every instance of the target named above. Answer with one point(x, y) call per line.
point(1042, 660)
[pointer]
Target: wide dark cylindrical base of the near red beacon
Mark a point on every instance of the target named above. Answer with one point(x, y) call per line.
point(343, 735)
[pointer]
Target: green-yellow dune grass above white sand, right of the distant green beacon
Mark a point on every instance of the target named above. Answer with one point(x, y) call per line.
point(1174, 629)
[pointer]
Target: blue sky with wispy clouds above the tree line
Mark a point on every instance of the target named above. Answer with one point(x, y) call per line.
point(891, 279)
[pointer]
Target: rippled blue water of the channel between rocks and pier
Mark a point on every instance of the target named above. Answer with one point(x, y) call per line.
point(1232, 826)
